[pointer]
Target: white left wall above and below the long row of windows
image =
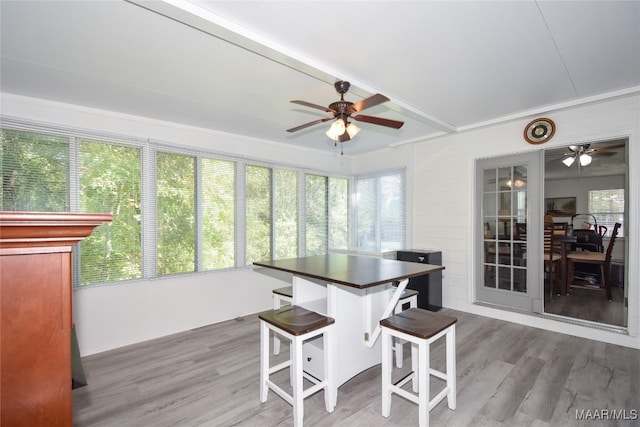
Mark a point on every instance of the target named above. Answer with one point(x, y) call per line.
point(112, 316)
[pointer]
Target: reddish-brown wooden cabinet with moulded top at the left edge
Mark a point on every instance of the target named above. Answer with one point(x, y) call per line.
point(35, 315)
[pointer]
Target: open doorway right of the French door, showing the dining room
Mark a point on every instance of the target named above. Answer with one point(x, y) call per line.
point(587, 194)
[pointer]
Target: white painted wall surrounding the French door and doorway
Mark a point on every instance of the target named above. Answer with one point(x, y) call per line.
point(440, 181)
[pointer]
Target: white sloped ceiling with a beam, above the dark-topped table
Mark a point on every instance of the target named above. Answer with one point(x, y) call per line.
point(233, 66)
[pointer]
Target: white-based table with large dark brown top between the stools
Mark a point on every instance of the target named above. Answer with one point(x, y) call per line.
point(357, 292)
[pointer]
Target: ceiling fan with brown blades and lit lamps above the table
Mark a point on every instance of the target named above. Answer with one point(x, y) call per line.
point(342, 111)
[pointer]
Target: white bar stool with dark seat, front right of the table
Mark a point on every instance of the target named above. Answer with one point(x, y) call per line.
point(421, 328)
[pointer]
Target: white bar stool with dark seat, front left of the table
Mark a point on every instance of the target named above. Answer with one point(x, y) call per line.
point(297, 324)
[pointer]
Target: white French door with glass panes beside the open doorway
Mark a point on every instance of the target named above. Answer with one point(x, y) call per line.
point(508, 241)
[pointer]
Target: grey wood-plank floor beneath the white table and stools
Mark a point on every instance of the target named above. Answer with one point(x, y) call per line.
point(508, 375)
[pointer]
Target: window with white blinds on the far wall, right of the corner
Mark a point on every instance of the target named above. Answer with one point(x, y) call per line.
point(380, 212)
